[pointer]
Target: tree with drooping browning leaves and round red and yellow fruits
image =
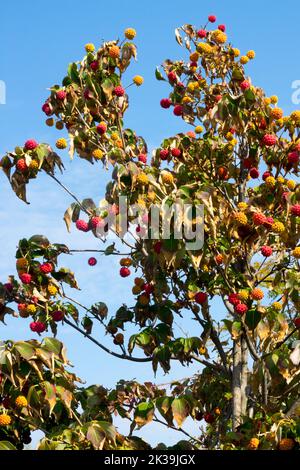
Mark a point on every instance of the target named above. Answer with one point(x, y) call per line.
point(238, 162)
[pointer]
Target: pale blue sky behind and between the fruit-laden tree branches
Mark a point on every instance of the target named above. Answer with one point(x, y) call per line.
point(38, 40)
